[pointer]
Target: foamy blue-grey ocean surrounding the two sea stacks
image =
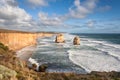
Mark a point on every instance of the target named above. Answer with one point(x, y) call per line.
point(96, 52)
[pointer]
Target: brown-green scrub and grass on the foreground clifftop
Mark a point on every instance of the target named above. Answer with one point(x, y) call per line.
point(11, 68)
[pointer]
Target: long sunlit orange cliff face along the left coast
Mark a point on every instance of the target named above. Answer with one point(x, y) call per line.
point(17, 40)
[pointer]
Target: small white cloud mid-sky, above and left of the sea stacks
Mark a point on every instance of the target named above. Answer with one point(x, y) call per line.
point(49, 21)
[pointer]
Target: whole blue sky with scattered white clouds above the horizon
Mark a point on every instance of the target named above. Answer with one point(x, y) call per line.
point(73, 16)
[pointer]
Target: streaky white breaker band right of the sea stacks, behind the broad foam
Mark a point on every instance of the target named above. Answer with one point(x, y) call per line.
point(112, 49)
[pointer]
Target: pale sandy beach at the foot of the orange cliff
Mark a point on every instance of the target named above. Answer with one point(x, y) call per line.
point(26, 53)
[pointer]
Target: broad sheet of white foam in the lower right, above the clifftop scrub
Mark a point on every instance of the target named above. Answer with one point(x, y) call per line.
point(94, 60)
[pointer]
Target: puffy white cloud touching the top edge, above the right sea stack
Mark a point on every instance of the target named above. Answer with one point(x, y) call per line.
point(82, 9)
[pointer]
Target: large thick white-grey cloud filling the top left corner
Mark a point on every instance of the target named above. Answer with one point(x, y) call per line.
point(11, 16)
